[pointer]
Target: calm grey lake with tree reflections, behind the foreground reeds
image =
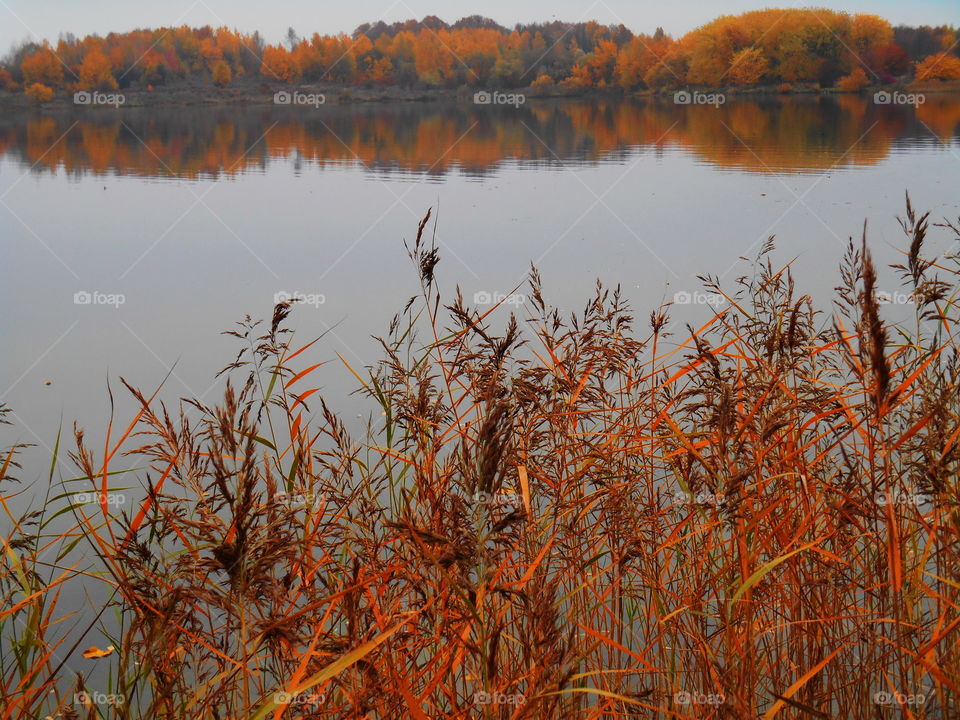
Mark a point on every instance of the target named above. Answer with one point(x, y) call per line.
point(131, 238)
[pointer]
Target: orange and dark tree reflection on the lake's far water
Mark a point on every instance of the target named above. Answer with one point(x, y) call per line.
point(783, 135)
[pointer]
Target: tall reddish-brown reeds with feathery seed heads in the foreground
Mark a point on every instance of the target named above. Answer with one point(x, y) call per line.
point(550, 517)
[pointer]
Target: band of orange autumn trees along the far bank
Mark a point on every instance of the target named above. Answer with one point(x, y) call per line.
point(764, 47)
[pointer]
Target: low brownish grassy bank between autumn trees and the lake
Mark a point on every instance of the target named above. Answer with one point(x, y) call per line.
point(191, 95)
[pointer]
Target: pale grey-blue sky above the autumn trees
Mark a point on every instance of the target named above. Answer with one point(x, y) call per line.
point(20, 19)
